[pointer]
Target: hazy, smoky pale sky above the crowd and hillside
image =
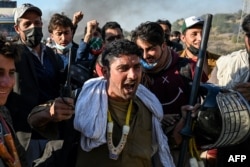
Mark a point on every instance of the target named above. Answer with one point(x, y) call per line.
point(130, 13)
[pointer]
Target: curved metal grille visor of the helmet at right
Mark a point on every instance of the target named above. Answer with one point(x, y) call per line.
point(235, 113)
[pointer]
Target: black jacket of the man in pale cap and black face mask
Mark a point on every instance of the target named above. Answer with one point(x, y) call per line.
point(25, 95)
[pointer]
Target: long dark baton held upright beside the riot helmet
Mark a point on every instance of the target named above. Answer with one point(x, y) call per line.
point(186, 132)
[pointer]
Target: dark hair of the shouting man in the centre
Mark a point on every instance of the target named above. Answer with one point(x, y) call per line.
point(117, 48)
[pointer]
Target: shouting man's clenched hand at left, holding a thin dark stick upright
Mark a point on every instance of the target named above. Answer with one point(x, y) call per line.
point(60, 110)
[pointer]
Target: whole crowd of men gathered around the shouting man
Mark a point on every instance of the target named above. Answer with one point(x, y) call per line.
point(107, 100)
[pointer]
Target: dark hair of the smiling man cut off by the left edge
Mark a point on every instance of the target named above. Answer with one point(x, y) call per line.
point(9, 49)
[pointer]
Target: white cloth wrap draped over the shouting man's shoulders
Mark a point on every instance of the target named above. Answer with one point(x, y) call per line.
point(91, 118)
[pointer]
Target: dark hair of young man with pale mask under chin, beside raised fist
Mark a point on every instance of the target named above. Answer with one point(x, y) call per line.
point(59, 20)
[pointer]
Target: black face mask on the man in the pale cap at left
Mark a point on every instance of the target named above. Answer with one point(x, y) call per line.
point(33, 36)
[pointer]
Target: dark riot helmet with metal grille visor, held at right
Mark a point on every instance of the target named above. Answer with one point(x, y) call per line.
point(223, 119)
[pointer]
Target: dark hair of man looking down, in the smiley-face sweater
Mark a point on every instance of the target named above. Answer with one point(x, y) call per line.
point(150, 32)
